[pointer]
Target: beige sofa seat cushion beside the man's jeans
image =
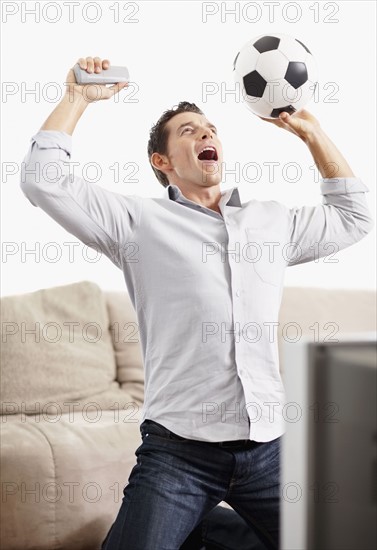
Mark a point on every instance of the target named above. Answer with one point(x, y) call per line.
point(63, 481)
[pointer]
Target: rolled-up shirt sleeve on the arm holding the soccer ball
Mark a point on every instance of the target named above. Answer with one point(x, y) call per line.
point(341, 220)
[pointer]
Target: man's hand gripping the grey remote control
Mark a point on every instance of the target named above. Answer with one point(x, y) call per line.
point(92, 92)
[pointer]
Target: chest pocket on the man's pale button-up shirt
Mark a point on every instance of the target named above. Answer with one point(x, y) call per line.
point(263, 252)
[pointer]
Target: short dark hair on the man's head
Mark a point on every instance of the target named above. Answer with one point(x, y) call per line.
point(158, 137)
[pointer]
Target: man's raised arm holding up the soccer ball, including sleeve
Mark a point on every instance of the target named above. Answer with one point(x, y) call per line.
point(344, 217)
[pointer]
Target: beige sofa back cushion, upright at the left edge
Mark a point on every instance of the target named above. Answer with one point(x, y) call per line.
point(56, 348)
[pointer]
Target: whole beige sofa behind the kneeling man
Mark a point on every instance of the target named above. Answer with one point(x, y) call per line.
point(71, 397)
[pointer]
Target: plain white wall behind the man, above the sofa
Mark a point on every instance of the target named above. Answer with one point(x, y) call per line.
point(172, 50)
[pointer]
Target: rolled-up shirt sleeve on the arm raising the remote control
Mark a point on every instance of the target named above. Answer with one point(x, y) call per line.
point(101, 219)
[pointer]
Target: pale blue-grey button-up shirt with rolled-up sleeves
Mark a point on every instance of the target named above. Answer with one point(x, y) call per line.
point(206, 287)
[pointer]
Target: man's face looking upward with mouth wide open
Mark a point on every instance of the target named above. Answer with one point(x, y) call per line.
point(190, 134)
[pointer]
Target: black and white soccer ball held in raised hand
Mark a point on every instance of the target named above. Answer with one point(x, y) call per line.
point(275, 73)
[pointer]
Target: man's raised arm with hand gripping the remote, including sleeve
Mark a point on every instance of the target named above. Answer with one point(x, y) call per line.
point(100, 218)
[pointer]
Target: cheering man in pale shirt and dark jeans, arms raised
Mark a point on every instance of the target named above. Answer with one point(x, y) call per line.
point(204, 272)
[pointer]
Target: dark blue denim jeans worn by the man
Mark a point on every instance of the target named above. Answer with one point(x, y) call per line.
point(170, 501)
